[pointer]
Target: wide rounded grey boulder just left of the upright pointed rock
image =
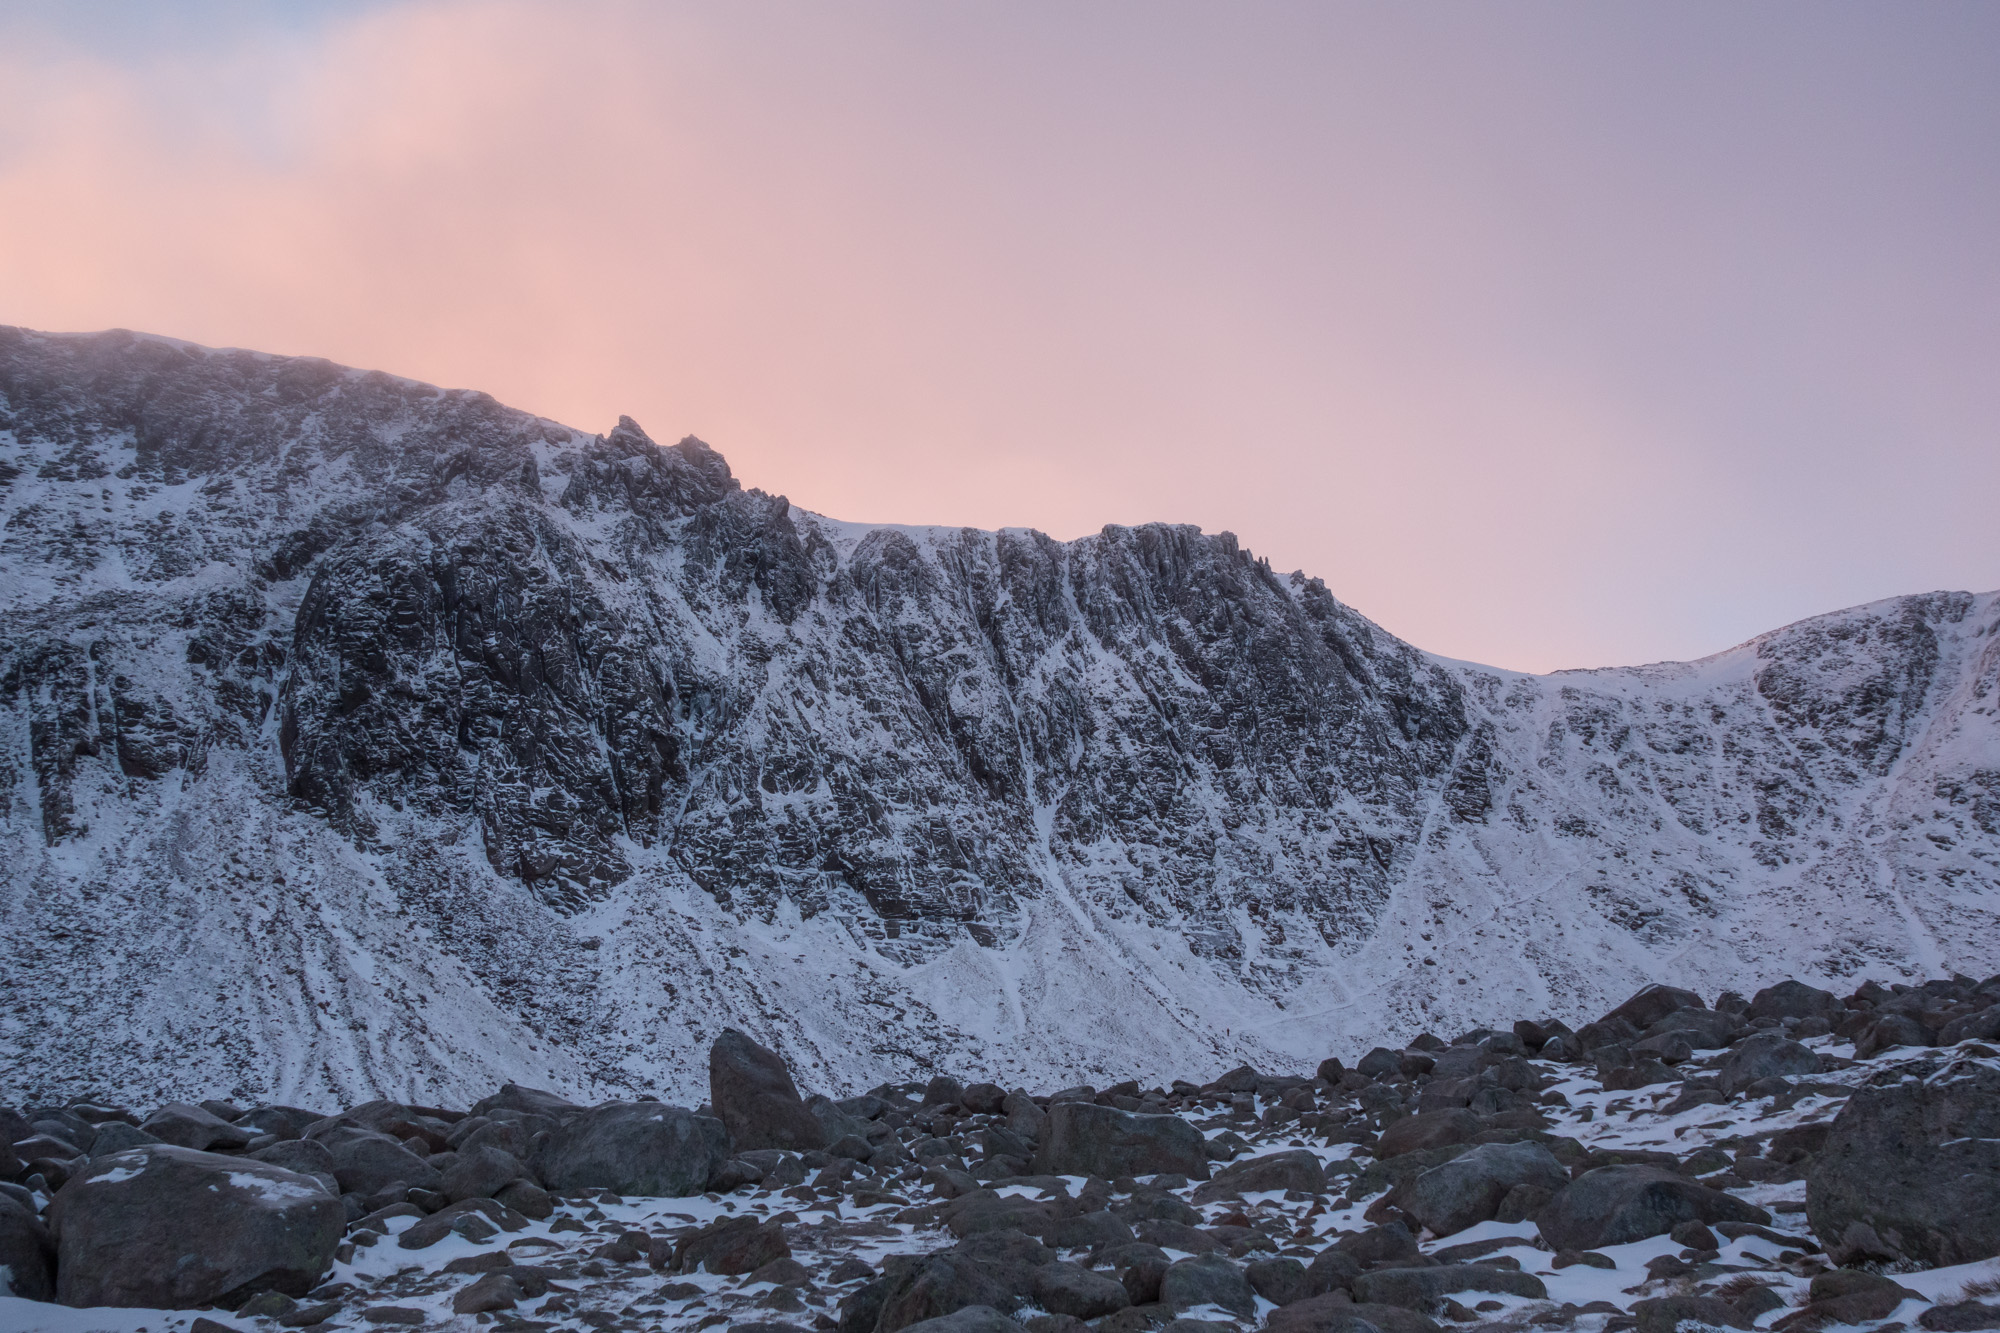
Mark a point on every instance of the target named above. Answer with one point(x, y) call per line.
point(635, 1148)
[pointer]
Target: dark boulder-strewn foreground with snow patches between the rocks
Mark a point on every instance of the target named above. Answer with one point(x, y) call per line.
point(1785, 1162)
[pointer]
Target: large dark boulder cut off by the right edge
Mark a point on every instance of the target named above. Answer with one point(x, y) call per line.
point(1913, 1172)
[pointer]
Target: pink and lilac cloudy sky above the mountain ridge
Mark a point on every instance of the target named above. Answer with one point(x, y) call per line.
point(1547, 335)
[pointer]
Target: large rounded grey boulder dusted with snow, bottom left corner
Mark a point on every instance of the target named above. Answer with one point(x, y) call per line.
point(177, 1228)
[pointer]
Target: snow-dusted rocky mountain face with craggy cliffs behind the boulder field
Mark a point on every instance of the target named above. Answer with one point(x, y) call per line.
point(367, 738)
